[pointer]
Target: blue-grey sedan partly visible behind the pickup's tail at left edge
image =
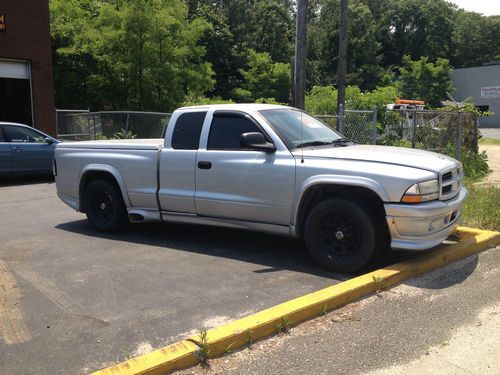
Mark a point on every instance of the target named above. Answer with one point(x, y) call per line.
point(24, 150)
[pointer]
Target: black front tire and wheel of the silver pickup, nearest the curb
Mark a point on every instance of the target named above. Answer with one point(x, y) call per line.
point(341, 235)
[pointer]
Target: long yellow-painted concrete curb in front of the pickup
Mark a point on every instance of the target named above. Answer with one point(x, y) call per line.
point(265, 323)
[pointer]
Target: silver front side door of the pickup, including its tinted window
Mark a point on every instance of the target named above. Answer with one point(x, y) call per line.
point(242, 184)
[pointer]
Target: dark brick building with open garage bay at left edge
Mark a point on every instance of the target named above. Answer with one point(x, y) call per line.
point(26, 87)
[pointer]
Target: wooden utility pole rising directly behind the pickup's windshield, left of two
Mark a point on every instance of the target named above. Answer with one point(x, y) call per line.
point(299, 78)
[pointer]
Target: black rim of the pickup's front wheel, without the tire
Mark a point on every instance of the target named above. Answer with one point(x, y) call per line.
point(340, 236)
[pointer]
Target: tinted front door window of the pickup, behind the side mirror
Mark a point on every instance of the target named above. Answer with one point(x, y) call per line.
point(225, 132)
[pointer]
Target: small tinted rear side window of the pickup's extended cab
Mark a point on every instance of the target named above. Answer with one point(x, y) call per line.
point(187, 130)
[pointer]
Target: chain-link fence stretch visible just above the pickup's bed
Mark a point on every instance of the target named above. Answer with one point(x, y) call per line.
point(84, 126)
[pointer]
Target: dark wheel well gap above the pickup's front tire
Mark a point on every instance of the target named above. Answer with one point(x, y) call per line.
point(319, 193)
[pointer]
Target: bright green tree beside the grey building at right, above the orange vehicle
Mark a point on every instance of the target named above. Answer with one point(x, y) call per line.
point(425, 80)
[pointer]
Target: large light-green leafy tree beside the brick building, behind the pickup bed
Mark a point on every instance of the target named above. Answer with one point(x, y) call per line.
point(145, 53)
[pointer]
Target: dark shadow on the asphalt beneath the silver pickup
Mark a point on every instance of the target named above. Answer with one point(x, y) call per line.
point(273, 253)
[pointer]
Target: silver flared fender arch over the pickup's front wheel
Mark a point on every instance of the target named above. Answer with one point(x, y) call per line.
point(326, 179)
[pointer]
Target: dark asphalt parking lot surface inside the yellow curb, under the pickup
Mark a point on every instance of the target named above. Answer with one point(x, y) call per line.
point(75, 300)
